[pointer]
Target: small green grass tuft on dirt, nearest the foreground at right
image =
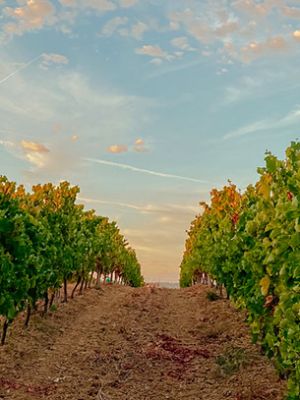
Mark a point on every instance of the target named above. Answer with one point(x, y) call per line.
point(232, 360)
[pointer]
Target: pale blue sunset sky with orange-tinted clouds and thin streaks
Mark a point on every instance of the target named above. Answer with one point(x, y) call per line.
point(147, 105)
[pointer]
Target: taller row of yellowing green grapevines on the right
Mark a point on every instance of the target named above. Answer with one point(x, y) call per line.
point(250, 243)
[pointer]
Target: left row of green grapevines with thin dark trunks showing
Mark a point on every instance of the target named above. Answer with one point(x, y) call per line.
point(48, 240)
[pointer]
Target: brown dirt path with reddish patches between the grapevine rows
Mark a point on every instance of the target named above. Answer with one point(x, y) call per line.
point(137, 344)
